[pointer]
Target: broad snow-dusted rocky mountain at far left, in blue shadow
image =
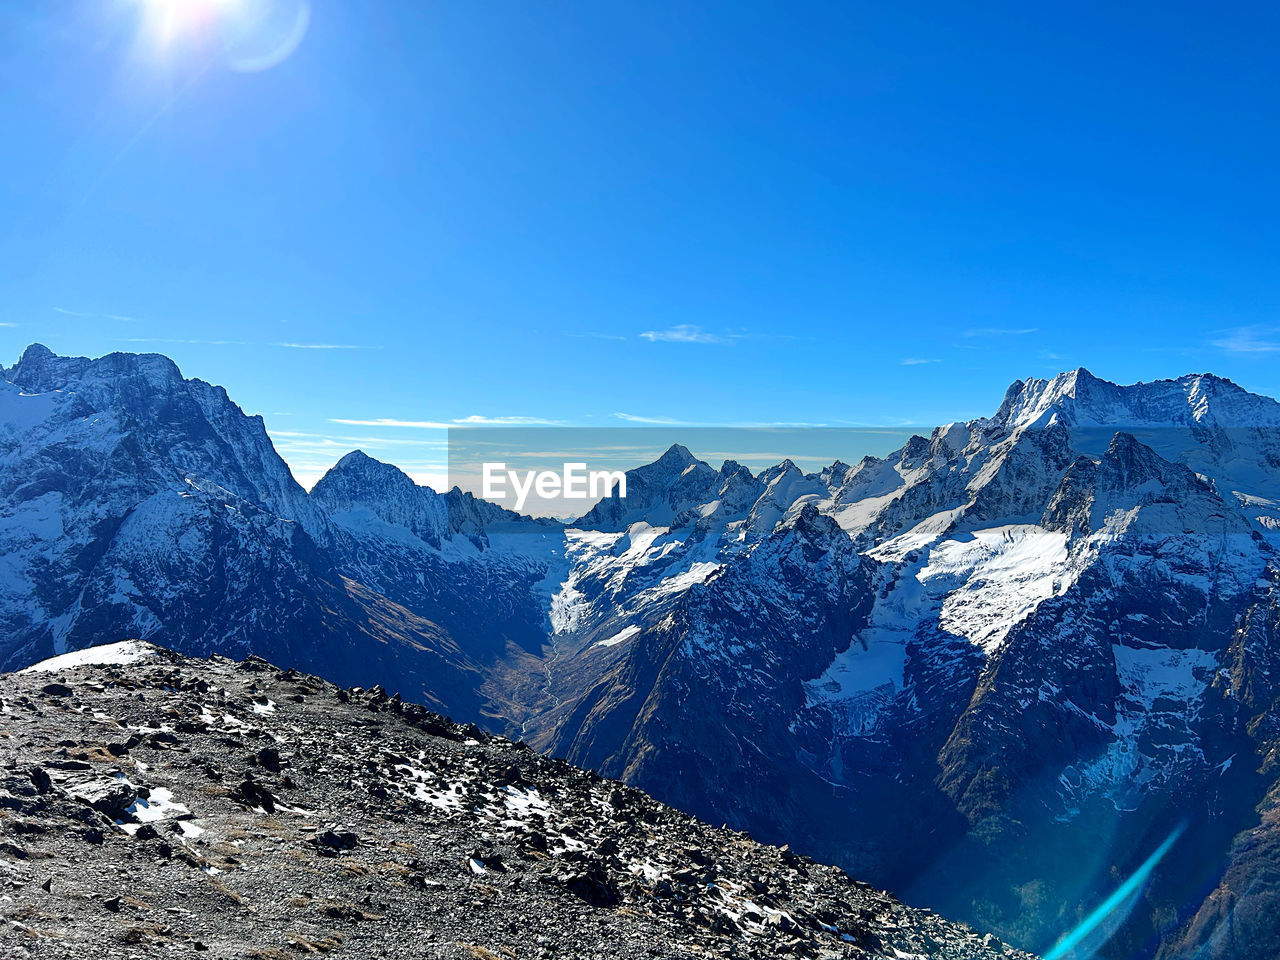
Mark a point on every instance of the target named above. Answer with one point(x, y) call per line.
point(138, 504)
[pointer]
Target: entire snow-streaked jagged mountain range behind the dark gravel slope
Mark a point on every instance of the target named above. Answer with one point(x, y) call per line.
point(993, 671)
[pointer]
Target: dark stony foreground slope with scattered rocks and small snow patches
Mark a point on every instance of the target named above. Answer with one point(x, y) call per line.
point(153, 806)
